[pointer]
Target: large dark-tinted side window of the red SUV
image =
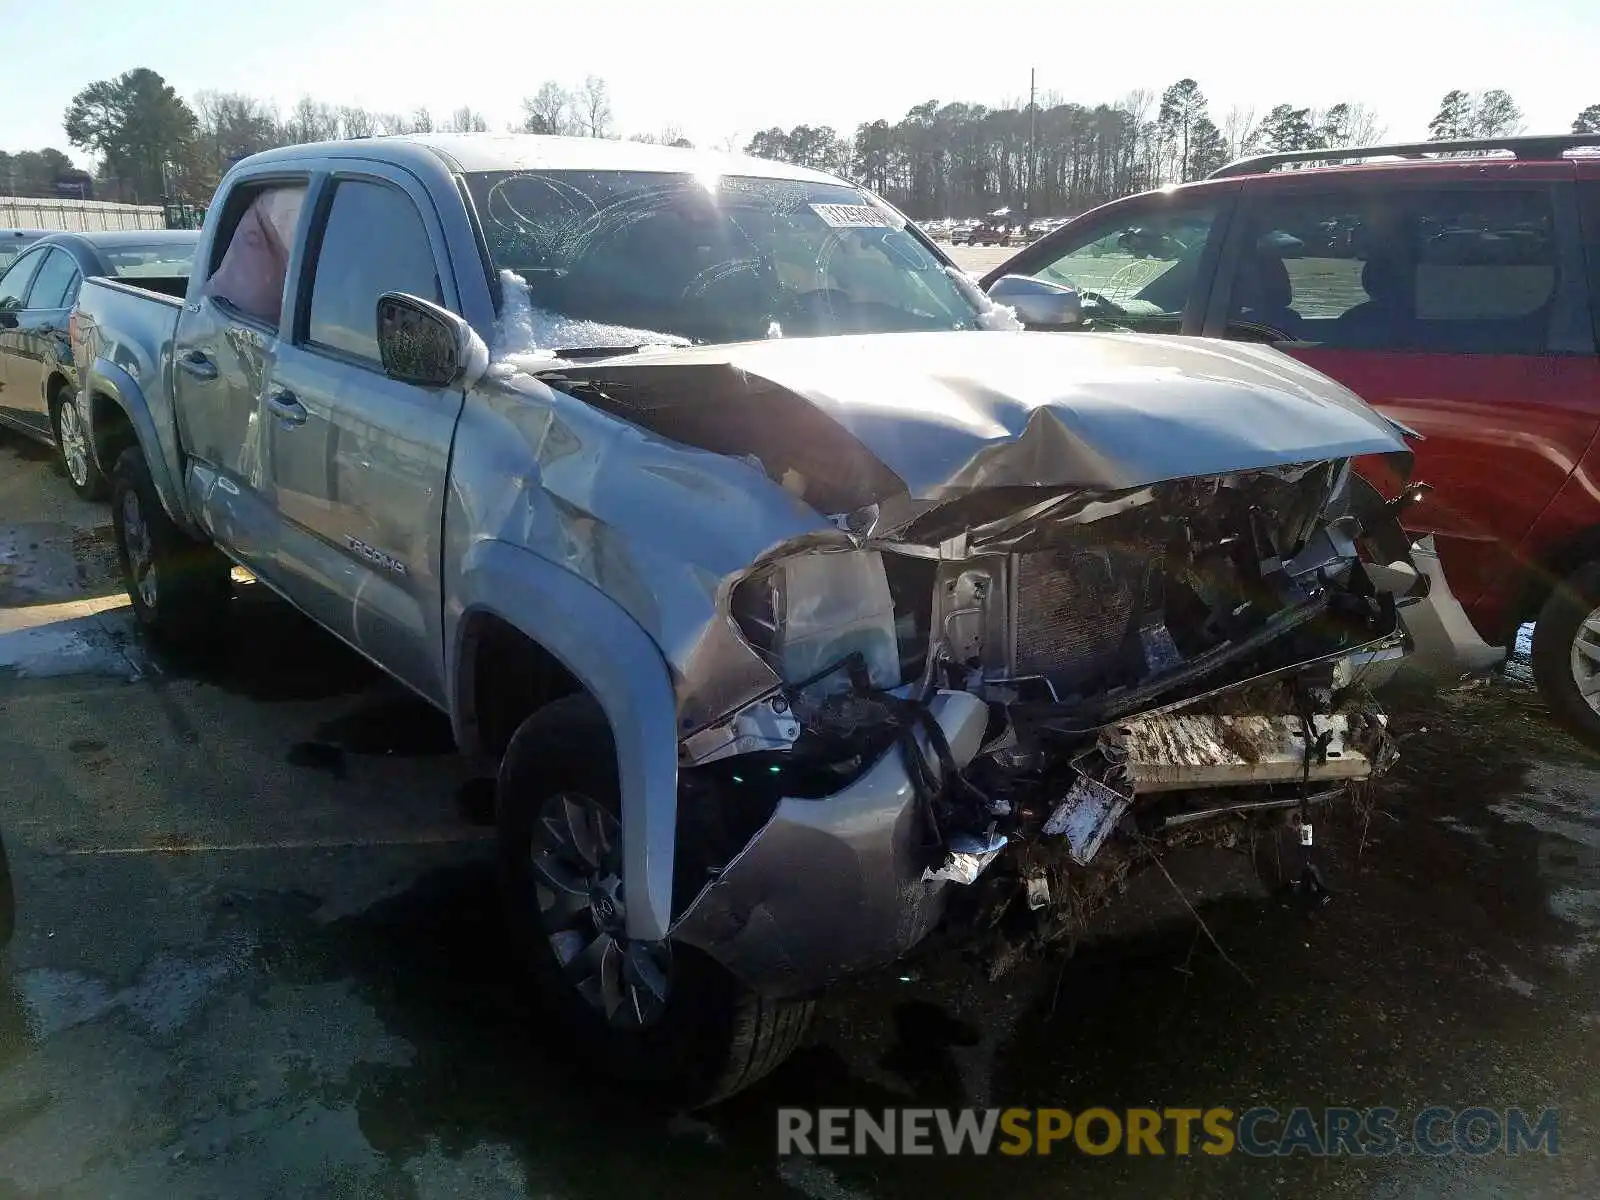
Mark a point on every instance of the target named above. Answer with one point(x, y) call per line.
point(1446, 271)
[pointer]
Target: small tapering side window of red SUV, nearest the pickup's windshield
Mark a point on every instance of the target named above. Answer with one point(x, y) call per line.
point(1143, 265)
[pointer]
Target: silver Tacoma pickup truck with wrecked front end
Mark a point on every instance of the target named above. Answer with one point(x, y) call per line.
point(804, 604)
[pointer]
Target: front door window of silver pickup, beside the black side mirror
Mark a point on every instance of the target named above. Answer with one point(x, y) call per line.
point(374, 242)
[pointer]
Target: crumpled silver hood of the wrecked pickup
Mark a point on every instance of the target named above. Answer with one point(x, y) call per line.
point(958, 412)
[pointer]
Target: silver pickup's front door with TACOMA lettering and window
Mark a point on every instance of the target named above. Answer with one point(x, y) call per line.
point(358, 462)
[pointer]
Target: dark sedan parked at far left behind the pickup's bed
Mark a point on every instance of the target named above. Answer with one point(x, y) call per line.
point(38, 294)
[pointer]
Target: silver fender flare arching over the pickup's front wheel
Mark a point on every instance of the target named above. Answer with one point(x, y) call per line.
point(622, 666)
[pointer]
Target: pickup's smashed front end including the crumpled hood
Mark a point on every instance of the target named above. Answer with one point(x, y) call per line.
point(1050, 609)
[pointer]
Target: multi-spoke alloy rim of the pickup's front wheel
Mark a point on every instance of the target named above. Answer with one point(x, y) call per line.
point(578, 884)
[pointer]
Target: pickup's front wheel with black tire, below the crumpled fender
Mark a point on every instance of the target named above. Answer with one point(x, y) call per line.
point(654, 1015)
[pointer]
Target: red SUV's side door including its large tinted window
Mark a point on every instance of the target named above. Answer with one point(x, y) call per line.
point(1457, 311)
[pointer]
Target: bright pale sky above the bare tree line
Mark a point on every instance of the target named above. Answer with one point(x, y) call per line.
point(722, 71)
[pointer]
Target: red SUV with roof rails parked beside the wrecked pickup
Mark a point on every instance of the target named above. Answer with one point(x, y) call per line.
point(1458, 294)
